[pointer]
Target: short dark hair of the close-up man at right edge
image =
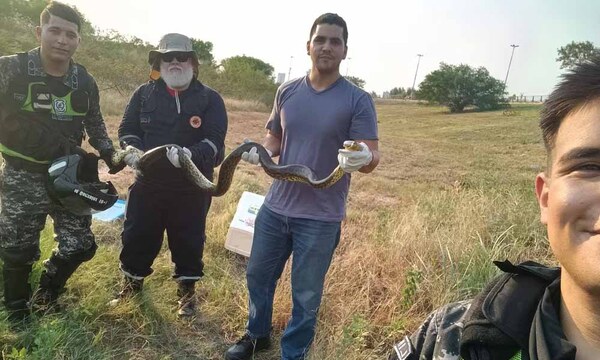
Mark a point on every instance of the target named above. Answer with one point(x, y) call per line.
point(578, 87)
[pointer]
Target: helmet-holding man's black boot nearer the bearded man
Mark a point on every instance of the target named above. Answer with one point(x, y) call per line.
point(52, 283)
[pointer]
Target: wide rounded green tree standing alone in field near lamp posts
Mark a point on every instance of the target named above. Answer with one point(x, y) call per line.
point(459, 86)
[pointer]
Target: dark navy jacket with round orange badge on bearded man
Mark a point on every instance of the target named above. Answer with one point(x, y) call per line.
point(195, 119)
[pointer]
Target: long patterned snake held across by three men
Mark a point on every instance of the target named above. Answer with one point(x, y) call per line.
point(293, 172)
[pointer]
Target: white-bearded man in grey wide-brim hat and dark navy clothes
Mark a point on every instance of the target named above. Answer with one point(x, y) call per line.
point(172, 108)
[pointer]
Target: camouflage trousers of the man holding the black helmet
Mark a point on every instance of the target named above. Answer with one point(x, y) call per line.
point(24, 206)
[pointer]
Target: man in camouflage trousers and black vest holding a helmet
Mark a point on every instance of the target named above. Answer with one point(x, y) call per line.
point(47, 101)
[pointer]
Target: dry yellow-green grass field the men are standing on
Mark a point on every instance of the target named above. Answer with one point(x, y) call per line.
point(452, 193)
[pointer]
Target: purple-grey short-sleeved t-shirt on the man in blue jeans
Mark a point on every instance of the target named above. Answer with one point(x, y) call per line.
point(313, 126)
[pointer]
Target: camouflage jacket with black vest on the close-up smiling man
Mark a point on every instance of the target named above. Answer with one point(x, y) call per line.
point(496, 324)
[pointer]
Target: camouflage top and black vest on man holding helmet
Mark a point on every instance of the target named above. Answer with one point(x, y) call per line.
point(43, 117)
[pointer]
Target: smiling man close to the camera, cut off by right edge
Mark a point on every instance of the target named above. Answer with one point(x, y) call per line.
point(532, 311)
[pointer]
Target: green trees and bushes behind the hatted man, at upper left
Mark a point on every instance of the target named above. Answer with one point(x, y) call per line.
point(119, 62)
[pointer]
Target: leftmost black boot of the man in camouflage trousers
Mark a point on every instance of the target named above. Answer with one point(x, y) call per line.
point(17, 290)
